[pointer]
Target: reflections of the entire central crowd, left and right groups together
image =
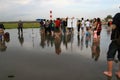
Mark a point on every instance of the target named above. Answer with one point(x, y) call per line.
point(60, 40)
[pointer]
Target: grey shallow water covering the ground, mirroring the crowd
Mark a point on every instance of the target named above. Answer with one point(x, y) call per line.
point(33, 56)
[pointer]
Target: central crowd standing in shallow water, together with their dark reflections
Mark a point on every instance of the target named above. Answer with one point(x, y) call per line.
point(57, 31)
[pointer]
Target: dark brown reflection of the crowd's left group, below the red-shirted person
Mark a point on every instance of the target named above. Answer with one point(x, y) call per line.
point(48, 40)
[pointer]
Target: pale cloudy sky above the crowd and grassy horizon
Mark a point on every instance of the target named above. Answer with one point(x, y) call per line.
point(29, 10)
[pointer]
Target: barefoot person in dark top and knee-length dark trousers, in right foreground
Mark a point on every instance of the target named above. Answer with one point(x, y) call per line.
point(113, 47)
